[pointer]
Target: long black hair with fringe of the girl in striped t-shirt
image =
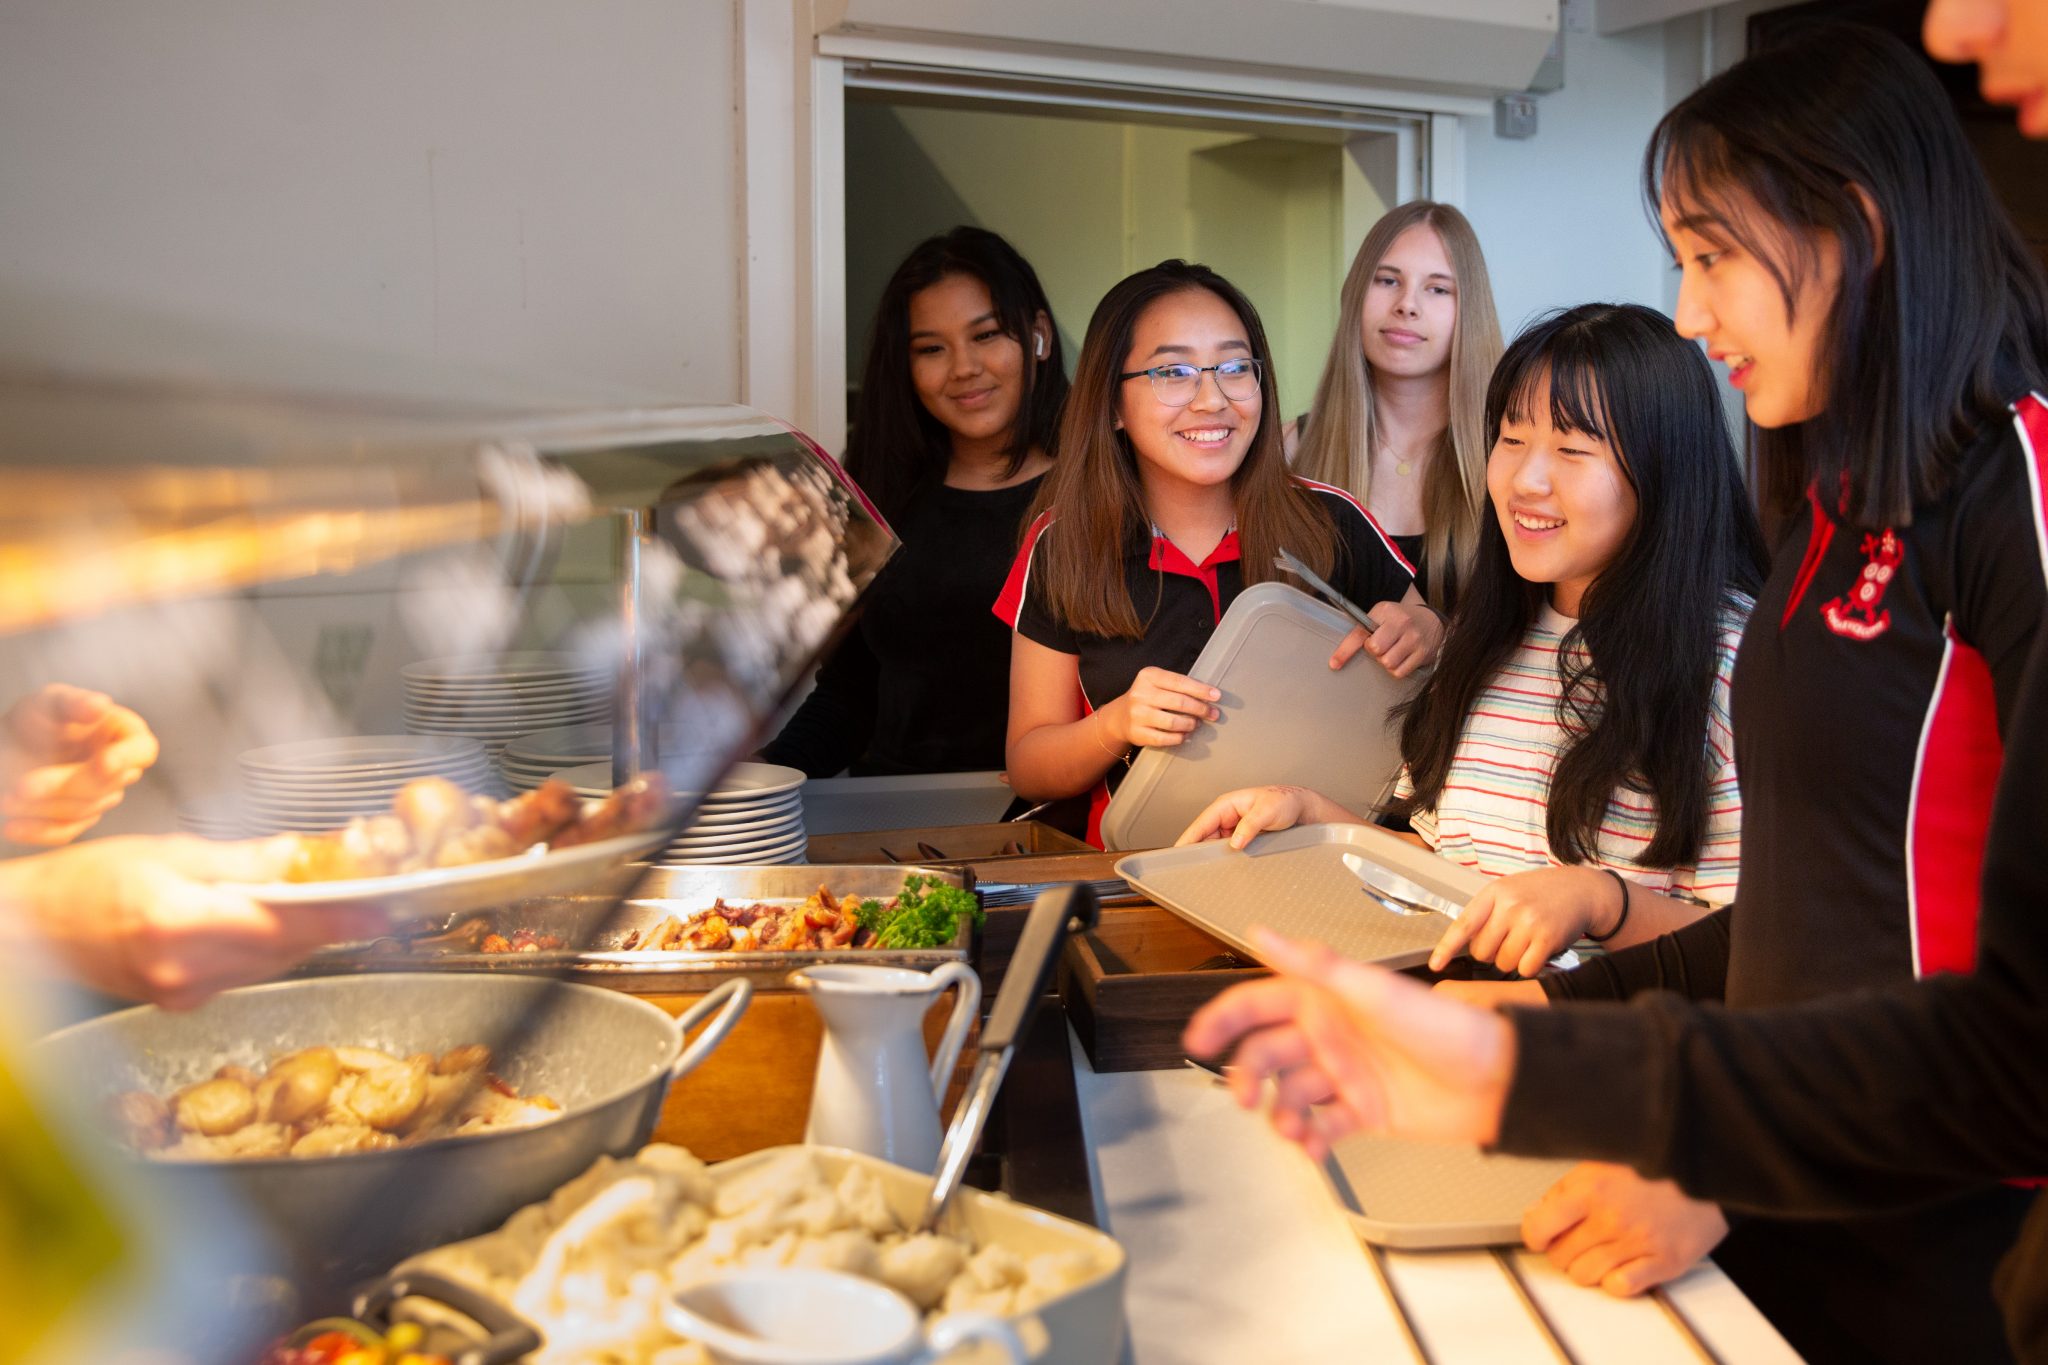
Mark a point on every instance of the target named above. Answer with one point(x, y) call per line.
point(1639, 666)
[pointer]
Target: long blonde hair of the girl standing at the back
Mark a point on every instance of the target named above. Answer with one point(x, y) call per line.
point(1342, 425)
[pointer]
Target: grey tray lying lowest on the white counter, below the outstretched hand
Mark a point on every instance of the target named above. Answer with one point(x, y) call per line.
point(1426, 1196)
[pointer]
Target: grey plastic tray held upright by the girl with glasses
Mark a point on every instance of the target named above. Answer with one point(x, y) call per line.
point(1287, 717)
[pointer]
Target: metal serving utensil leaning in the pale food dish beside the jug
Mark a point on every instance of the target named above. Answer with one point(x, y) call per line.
point(1054, 916)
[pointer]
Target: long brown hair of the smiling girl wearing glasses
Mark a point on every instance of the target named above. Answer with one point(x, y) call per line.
point(1095, 490)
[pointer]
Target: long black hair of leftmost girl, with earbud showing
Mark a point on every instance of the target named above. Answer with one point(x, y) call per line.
point(898, 447)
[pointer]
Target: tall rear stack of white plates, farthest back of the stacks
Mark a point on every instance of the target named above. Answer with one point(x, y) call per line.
point(497, 699)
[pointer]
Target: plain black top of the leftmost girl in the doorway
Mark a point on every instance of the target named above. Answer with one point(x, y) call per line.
point(921, 685)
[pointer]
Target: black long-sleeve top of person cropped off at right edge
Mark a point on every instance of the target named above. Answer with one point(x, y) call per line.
point(1881, 1098)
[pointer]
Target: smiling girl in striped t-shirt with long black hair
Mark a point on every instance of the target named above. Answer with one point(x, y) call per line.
point(1578, 725)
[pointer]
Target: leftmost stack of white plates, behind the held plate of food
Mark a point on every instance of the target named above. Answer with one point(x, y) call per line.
point(323, 783)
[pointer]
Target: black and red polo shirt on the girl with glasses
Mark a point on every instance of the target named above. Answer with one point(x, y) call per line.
point(1183, 601)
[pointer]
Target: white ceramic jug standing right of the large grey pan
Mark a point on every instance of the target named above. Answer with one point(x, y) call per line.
point(873, 1090)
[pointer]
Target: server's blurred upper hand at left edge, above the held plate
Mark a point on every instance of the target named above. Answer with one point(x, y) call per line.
point(67, 758)
